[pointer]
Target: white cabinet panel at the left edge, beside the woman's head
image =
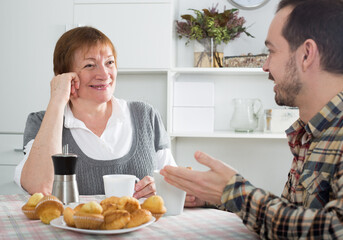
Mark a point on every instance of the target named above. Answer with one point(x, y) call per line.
point(29, 31)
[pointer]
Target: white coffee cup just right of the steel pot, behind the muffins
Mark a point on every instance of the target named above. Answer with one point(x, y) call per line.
point(119, 185)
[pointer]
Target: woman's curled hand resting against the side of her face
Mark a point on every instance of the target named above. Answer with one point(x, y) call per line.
point(64, 86)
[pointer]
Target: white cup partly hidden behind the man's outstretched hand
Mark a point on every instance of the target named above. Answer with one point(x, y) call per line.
point(174, 198)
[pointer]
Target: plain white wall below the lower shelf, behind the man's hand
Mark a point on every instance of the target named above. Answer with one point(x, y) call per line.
point(264, 162)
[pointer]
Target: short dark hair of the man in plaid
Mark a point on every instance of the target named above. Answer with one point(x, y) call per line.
point(321, 21)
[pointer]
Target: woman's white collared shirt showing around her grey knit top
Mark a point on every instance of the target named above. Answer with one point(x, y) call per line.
point(114, 143)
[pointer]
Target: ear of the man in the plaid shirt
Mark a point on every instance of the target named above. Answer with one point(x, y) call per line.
point(309, 54)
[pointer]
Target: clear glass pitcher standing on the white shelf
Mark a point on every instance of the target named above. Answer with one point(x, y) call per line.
point(246, 114)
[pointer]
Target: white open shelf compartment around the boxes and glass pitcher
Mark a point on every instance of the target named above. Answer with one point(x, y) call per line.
point(224, 78)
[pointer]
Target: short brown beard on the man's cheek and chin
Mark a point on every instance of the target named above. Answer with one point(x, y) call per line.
point(289, 88)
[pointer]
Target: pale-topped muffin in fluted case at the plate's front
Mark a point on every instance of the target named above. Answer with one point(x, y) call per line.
point(89, 216)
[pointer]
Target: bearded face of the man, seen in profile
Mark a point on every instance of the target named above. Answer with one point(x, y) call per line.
point(281, 63)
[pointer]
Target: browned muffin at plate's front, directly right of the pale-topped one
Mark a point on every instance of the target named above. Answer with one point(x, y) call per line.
point(115, 219)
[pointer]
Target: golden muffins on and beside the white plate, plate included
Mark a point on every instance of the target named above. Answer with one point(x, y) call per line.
point(113, 215)
